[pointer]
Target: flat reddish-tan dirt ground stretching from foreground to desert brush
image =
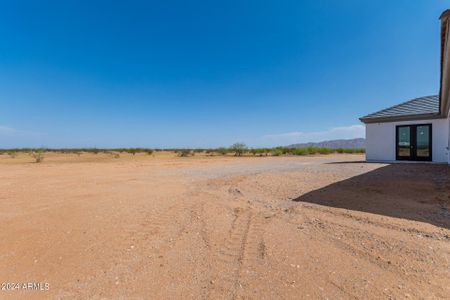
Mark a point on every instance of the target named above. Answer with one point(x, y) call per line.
point(143, 227)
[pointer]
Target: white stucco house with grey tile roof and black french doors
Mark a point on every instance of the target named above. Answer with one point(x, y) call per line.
point(418, 129)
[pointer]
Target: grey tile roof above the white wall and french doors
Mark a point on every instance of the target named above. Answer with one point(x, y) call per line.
point(428, 105)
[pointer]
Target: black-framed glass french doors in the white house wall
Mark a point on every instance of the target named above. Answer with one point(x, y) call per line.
point(413, 142)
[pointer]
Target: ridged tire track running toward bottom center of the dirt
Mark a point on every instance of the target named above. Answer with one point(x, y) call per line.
point(243, 247)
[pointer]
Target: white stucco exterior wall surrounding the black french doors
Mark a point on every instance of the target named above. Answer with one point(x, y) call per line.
point(380, 140)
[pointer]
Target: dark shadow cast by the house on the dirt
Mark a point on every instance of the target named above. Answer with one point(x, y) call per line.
point(418, 192)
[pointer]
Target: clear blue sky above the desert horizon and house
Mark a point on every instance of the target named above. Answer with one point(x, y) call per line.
point(208, 73)
